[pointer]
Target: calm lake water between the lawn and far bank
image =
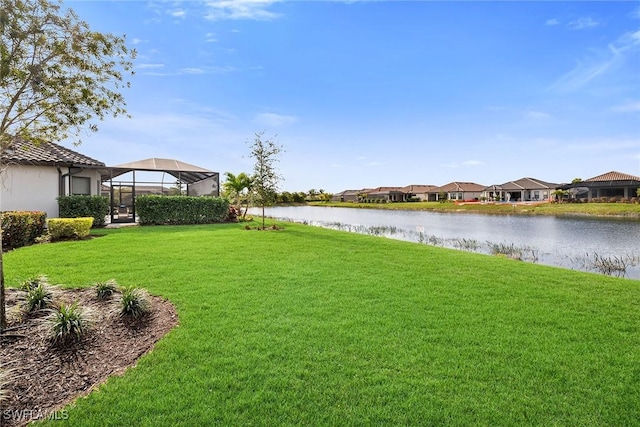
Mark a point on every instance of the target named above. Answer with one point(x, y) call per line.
point(590, 244)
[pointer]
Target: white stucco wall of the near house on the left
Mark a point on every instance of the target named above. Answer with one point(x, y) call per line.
point(36, 188)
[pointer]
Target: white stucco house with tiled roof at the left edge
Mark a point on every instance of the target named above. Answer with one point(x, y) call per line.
point(36, 175)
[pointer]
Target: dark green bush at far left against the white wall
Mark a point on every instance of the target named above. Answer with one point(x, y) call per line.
point(21, 228)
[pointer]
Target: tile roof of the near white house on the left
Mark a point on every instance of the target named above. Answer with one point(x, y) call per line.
point(46, 153)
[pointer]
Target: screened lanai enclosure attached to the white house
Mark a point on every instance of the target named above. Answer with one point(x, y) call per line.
point(122, 183)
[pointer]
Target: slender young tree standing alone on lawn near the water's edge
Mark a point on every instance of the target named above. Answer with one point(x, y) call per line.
point(266, 178)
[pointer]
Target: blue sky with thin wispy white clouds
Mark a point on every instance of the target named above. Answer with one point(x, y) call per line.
point(379, 93)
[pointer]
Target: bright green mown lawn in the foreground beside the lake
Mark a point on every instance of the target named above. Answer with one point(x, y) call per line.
point(308, 326)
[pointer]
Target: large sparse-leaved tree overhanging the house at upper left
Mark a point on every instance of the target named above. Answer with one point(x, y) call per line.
point(56, 78)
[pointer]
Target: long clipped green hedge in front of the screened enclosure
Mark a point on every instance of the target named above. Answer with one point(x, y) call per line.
point(159, 210)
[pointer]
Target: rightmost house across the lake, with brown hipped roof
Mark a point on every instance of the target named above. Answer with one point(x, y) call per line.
point(610, 185)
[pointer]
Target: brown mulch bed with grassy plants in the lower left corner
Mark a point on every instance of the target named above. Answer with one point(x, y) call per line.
point(45, 378)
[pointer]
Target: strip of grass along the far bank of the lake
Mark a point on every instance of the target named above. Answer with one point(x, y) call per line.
point(629, 210)
